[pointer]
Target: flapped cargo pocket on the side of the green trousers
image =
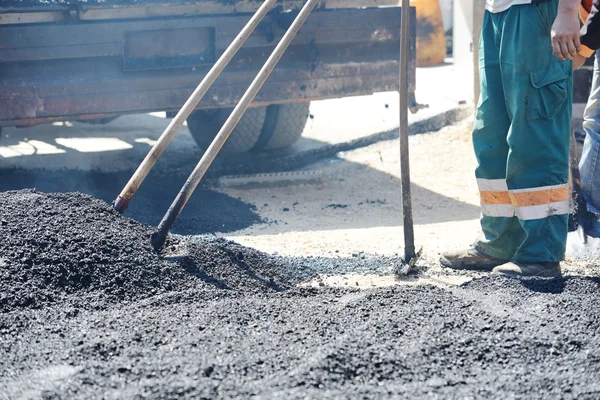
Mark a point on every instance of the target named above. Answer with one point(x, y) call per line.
point(549, 92)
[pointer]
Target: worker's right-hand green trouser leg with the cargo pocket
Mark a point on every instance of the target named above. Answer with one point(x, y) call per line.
point(538, 92)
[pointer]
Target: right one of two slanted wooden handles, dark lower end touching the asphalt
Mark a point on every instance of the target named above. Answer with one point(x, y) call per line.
point(159, 237)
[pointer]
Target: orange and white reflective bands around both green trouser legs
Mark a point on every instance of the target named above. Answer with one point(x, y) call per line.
point(527, 204)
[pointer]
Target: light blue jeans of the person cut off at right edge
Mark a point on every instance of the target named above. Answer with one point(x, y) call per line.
point(589, 165)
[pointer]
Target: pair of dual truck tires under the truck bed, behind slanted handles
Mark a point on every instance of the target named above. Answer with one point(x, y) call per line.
point(264, 128)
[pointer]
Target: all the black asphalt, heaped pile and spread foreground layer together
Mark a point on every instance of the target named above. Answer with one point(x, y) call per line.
point(211, 319)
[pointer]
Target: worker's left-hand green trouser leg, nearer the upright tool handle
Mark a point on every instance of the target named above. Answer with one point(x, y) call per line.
point(502, 232)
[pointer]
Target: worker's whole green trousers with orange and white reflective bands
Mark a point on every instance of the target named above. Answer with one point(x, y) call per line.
point(521, 136)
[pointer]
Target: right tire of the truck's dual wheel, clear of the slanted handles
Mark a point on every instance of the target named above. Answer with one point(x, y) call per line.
point(284, 124)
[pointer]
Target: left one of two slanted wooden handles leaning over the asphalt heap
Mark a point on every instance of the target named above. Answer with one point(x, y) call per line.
point(121, 203)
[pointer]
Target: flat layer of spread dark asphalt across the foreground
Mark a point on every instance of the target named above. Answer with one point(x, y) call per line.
point(493, 338)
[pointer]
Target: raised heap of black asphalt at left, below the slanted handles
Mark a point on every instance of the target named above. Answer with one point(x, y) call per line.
point(54, 246)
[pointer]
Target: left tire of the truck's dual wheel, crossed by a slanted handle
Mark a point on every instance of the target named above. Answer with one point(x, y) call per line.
point(205, 124)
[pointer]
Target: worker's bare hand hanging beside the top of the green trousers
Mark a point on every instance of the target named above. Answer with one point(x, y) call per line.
point(565, 35)
